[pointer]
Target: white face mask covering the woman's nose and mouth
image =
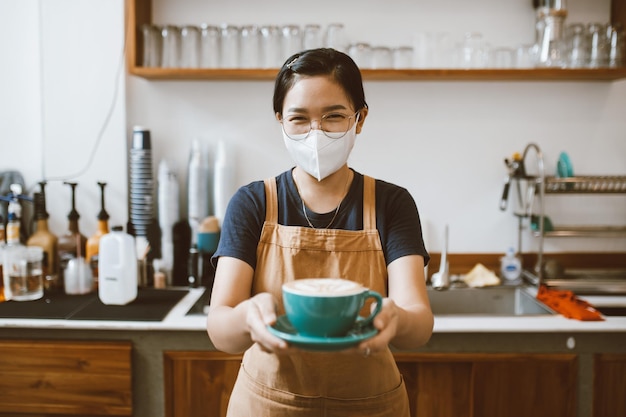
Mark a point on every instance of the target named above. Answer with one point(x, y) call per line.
point(320, 155)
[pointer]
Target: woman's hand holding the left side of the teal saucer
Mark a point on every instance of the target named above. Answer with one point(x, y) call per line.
point(261, 313)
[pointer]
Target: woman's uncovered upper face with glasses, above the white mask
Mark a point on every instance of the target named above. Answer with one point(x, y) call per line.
point(314, 97)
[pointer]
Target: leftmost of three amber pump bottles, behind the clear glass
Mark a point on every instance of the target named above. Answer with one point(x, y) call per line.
point(45, 240)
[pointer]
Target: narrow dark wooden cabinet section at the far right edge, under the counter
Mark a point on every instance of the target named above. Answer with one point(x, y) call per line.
point(609, 385)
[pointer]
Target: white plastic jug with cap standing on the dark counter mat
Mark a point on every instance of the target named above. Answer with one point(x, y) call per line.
point(117, 267)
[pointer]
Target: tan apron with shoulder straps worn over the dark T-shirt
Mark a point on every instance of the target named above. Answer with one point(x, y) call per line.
point(318, 384)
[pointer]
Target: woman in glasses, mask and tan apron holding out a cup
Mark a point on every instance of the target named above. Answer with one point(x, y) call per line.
point(319, 219)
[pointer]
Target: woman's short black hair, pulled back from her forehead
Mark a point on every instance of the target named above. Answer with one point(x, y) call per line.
point(322, 61)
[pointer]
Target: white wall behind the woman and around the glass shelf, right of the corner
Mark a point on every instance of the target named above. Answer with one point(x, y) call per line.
point(444, 141)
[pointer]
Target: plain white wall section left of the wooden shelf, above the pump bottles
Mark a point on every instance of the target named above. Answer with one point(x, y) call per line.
point(59, 103)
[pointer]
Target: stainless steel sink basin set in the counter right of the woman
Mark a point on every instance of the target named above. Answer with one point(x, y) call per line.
point(489, 301)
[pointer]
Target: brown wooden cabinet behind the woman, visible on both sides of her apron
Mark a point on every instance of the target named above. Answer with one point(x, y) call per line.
point(439, 385)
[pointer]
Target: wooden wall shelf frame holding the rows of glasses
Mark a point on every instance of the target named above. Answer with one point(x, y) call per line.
point(139, 12)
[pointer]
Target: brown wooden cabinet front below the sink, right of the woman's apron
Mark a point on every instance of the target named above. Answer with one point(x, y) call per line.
point(485, 385)
